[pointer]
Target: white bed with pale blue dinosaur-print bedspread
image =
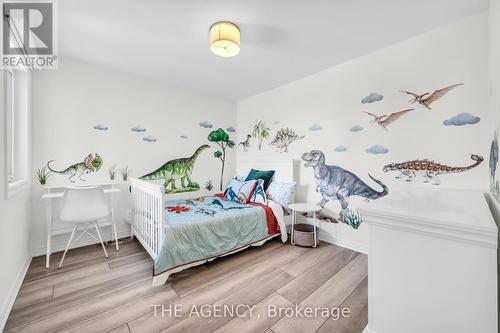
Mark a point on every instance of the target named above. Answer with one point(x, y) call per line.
point(182, 233)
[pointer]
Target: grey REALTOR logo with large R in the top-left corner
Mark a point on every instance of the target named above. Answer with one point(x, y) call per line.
point(28, 35)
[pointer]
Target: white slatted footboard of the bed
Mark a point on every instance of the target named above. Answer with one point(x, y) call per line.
point(147, 214)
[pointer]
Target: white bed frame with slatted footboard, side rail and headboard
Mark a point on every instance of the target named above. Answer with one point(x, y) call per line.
point(147, 200)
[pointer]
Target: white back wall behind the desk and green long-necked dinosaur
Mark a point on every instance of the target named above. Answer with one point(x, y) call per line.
point(70, 101)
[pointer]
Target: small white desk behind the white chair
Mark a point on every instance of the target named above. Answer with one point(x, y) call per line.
point(55, 193)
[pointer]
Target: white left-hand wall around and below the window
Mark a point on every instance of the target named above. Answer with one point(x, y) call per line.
point(14, 231)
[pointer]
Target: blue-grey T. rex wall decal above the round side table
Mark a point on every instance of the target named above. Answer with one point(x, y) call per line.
point(334, 182)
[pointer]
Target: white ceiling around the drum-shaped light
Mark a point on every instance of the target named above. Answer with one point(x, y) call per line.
point(282, 40)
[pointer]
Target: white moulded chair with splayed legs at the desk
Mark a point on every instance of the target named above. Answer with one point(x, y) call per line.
point(85, 207)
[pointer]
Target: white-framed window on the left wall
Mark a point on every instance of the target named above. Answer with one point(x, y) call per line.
point(16, 89)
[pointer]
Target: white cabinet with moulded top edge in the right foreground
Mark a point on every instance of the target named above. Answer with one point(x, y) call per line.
point(432, 263)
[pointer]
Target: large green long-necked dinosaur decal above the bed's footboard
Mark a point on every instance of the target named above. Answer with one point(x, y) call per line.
point(180, 168)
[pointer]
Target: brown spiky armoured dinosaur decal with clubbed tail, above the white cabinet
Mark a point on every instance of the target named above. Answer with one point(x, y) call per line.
point(428, 169)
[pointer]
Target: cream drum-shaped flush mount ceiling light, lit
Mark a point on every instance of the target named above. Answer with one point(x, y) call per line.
point(225, 39)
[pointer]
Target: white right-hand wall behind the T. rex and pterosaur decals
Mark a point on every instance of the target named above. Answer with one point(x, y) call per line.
point(325, 106)
